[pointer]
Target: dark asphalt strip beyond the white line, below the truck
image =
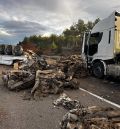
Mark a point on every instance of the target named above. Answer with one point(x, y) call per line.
point(106, 88)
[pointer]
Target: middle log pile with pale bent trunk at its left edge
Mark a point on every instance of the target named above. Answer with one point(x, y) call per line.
point(52, 82)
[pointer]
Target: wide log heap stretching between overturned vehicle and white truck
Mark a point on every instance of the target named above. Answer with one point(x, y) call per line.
point(44, 78)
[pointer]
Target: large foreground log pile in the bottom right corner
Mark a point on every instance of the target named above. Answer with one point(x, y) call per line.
point(91, 118)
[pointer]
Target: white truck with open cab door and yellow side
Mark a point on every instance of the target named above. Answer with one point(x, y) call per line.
point(101, 47)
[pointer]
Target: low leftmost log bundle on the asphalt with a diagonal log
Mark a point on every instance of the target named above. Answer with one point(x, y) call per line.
point(18, 79)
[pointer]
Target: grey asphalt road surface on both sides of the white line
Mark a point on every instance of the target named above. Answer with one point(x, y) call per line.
point(16, 113)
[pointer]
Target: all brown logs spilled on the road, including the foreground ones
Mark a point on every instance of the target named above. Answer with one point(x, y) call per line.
point(36, 73)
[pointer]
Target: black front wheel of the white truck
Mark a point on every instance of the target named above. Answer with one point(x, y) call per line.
point(98, 70)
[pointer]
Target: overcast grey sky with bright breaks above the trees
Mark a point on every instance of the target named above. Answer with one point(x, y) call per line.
point(20, 18)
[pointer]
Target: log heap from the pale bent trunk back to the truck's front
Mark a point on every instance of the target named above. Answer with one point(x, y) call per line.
point(65, 74)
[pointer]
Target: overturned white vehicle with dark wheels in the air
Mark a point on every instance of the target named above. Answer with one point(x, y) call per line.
point(9, 54)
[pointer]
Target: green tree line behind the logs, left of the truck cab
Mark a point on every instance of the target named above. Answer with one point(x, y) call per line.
point(70, 38)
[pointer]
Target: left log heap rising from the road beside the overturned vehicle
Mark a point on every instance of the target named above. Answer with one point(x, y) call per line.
point(23, 76)
